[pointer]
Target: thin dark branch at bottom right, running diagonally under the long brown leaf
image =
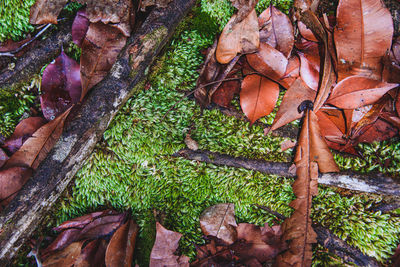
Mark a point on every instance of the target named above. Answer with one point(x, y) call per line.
point(334, 244)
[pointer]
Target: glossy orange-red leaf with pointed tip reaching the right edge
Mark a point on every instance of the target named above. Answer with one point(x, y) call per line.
point(357, 91)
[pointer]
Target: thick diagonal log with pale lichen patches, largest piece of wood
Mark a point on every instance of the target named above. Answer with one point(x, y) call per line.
point(88, 122)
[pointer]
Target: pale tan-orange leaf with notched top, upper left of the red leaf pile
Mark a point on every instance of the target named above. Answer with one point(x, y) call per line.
point(238, 37)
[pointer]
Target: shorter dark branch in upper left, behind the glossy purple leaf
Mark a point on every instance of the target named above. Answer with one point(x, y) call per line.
point(33, 60)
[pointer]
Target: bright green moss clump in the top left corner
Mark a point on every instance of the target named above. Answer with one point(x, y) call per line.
point(14, 19)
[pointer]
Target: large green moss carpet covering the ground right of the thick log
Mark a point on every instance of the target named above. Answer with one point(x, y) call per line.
point(132, 168)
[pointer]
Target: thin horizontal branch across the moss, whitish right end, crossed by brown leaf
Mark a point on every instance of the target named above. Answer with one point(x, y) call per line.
point(372, 183)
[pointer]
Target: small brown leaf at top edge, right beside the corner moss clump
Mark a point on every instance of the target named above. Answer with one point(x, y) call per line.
point(46, 11)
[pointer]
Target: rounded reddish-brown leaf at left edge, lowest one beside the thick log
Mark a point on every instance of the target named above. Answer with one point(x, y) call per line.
point(12, 180)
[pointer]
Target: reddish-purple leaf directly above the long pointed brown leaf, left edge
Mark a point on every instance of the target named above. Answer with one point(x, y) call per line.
point(22, 132)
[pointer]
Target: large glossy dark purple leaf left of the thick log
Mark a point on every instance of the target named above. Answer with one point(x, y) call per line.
point(61, 86)
